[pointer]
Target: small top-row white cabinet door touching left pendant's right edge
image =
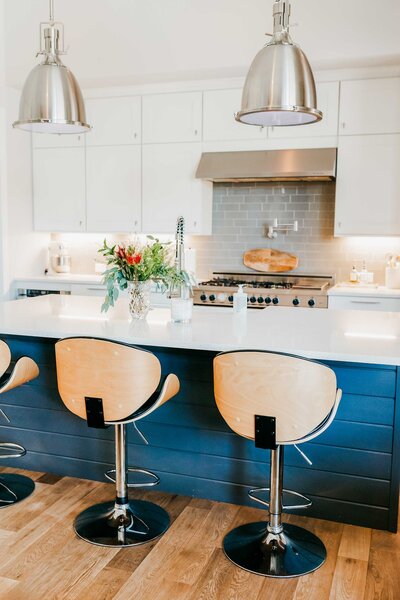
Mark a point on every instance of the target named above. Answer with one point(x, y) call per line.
point(114, 121)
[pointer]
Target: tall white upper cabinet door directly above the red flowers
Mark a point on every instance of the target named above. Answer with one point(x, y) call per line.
point(113, 186)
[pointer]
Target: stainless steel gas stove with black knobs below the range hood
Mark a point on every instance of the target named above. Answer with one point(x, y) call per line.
point(266, 289)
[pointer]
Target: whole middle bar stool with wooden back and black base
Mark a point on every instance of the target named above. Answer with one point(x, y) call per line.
point(109, 383)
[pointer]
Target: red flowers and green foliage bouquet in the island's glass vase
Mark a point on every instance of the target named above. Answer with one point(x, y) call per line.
point(135, 263)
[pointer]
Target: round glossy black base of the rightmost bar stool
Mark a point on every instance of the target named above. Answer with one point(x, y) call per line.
point(292, 553)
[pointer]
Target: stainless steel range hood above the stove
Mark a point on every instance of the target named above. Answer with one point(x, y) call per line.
point(316, 164)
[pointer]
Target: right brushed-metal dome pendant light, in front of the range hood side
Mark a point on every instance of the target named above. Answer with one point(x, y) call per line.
point(279, 88)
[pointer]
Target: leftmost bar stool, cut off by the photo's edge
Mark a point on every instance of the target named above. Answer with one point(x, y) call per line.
point(13, 487)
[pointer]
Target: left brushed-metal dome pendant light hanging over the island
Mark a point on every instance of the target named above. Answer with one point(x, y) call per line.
point(51, 99)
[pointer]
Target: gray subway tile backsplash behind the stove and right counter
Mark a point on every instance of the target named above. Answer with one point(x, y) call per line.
point(242, 212)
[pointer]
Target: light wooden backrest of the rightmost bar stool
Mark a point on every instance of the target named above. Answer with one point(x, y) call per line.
point(299, 393)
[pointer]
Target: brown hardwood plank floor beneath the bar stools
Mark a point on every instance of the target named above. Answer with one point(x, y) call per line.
point(41, 558)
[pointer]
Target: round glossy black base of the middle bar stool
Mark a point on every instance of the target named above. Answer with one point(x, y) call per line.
point(135, 523)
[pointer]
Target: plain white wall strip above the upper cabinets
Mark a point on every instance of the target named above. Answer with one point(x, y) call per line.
point(124, 42)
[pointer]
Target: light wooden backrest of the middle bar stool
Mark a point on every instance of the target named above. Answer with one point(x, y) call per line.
point(122, 376)
